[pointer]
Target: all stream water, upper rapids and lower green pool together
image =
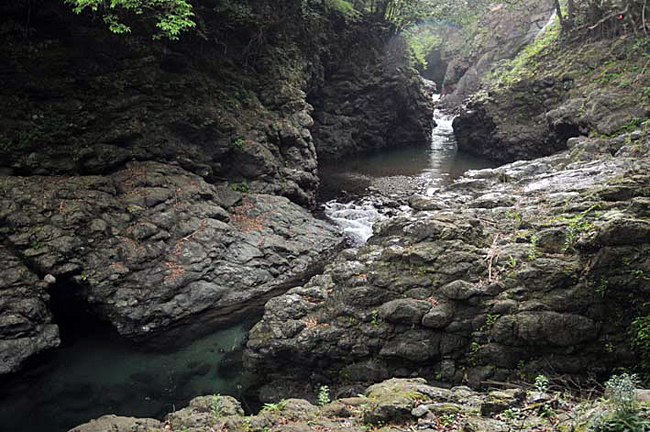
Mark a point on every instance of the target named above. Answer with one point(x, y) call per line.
point(96, 372)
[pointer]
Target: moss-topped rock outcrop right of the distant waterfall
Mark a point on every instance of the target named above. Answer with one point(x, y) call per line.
point(521, 114)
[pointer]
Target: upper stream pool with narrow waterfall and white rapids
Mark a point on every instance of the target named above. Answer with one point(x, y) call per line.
point(349, 185)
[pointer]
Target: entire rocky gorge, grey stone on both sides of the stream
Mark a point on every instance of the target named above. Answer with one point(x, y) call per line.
point(188, 211)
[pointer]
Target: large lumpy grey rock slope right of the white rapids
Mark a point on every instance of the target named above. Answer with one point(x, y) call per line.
point(531, 266)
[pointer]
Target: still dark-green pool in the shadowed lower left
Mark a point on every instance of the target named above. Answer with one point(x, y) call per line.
point(97, 372)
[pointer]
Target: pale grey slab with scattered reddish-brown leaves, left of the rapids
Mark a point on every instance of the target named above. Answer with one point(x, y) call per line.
point(153, 244)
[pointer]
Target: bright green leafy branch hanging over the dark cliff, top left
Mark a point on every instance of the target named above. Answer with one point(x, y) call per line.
point(172, 17)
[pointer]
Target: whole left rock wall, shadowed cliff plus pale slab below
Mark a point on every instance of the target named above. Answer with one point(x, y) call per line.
point(158, 181)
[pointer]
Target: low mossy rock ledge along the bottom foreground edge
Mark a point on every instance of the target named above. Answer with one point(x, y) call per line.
point(391, 406)
